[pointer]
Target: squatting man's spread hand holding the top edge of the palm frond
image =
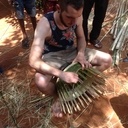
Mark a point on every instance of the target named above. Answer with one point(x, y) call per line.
point(80, 58)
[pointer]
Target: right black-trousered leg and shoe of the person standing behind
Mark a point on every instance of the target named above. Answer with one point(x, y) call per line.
point(99, 15)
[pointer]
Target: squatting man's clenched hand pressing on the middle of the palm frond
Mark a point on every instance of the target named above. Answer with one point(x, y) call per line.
point(69, 77)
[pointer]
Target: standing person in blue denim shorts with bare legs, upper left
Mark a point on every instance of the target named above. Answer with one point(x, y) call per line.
point(29, 6)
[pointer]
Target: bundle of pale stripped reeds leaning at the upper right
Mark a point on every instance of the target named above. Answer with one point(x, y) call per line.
point(119, 31)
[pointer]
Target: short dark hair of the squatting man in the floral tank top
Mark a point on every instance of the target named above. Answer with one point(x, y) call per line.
point(76, 4)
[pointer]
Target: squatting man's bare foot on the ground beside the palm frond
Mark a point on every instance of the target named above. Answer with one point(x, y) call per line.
point(56, 109)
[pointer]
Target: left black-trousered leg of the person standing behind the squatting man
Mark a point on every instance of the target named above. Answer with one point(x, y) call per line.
point(88, 4)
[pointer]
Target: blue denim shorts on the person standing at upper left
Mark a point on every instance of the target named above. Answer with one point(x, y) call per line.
point(28, 5)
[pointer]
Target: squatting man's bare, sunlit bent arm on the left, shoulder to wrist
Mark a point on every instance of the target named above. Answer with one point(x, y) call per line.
point(35, 59)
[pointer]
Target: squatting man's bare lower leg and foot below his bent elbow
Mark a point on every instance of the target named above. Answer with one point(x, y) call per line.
point(47, 87)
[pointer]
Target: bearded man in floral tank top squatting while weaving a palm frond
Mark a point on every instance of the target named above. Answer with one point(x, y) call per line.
point(54, 39)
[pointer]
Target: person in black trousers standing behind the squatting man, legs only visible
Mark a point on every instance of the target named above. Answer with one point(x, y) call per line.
point(99, 15)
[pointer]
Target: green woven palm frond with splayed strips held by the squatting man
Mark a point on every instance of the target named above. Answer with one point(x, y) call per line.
point(81, 94)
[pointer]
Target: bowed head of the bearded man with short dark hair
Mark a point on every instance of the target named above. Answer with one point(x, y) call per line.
point(69, 11)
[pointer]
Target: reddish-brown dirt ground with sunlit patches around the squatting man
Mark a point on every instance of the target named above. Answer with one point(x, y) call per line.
point(109, 111)
